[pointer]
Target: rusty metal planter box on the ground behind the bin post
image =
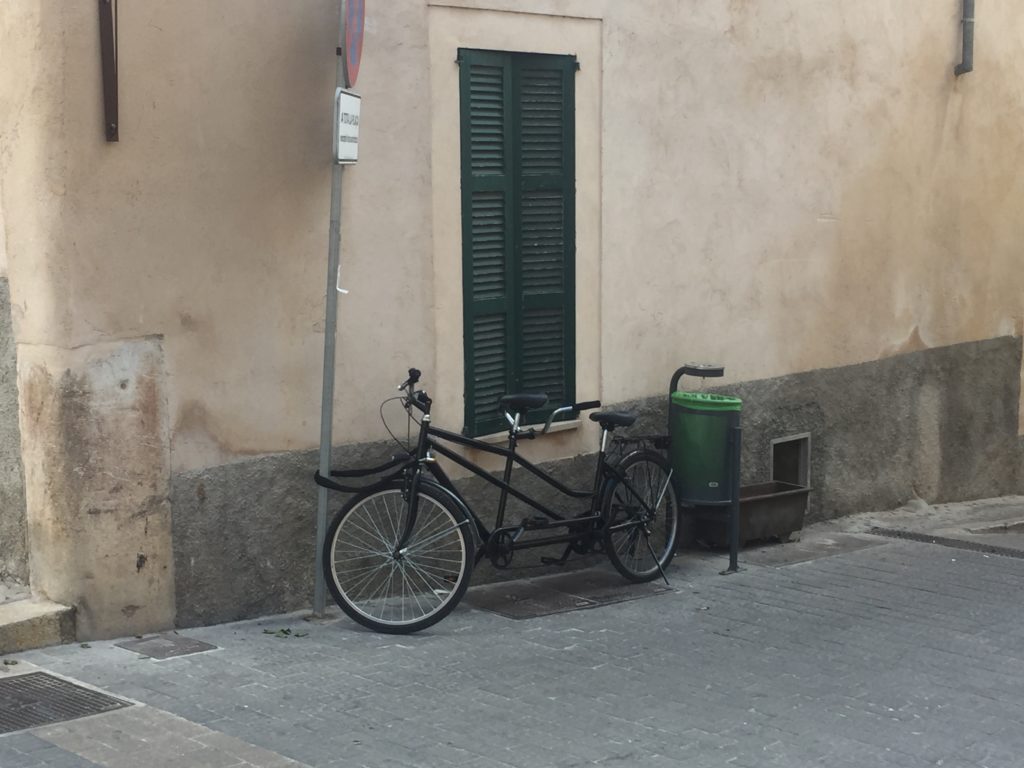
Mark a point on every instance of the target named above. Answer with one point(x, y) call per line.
point(767, 510)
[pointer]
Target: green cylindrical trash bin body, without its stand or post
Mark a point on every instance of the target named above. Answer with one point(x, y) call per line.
point(700, 424)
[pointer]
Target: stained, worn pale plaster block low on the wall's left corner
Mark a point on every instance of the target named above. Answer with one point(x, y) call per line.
point(100, 457)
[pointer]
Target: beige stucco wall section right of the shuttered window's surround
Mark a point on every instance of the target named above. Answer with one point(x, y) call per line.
point(817, 187)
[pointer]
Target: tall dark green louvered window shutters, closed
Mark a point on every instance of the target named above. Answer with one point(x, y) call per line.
point(519, 188)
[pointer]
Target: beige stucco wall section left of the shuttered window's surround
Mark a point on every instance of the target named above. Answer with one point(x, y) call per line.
point(208, 223)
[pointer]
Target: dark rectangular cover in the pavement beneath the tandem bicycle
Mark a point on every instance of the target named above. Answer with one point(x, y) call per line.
point(531, 599)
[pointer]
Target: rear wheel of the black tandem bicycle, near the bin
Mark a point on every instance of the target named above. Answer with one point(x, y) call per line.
point(642, 517)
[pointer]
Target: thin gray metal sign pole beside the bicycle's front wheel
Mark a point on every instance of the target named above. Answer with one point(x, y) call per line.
point(330, 343)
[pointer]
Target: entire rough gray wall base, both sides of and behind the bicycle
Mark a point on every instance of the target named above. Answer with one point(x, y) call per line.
point(940, 424)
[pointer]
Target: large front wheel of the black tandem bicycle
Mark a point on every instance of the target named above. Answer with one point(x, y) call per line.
point(399, 591)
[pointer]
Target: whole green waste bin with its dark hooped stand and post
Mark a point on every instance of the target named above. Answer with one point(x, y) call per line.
point(706, 434)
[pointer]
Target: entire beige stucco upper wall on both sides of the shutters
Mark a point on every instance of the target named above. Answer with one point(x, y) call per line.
point(776, 187)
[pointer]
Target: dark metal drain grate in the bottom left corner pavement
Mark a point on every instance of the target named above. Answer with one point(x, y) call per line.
point(38, 699)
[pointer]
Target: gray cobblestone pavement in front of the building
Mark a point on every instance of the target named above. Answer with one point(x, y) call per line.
point(904, 655)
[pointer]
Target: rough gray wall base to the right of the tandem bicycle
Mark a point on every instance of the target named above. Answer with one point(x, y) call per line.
point(941, 425)
